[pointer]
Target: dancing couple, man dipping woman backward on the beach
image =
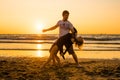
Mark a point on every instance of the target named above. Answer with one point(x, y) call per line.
point(65, 39)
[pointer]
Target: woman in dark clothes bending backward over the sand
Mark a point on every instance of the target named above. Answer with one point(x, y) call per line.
point(66, 40)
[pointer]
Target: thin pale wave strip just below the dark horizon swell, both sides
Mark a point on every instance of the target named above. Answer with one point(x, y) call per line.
point(52, 41)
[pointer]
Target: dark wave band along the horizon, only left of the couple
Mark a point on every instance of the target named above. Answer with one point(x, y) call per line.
point(28, 36)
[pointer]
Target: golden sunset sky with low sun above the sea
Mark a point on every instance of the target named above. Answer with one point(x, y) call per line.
point(31, 16)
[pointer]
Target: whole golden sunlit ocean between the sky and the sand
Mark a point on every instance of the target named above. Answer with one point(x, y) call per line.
point(105, 46)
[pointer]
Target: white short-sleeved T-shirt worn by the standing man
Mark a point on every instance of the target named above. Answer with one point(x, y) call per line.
point(64, 27)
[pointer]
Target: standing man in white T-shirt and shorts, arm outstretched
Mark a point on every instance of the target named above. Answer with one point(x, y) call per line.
point(64, 28)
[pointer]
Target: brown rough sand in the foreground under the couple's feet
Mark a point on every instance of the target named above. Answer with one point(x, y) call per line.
point(29, 68)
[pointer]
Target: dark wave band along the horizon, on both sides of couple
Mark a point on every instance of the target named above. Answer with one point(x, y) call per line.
point(97, 37)
